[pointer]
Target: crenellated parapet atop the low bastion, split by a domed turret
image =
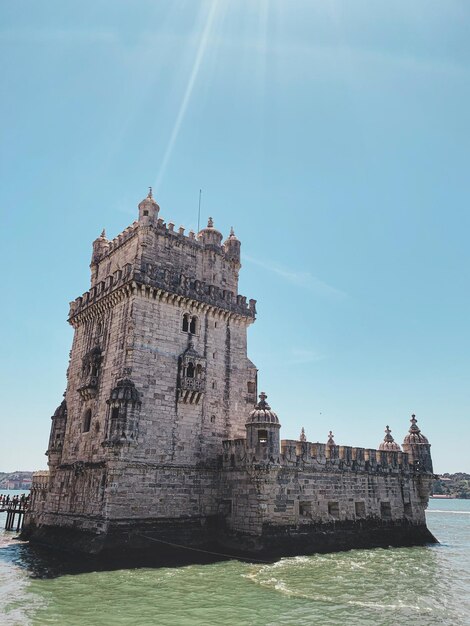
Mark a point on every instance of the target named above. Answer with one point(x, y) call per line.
point(304, 453)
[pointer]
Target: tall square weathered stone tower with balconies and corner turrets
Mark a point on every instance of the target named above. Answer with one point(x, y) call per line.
point(158, 378)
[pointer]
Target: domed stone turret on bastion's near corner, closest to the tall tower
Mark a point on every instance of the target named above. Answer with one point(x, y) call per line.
point(262, 432)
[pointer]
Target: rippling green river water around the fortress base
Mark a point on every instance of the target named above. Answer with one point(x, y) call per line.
point(418, 586)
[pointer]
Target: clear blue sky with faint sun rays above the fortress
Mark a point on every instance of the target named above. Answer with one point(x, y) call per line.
point(333, 136)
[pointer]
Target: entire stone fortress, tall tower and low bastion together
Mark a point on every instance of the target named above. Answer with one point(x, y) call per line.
point(160, 438)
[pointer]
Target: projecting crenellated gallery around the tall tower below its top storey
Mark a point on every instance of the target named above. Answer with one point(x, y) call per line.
point(164, 280)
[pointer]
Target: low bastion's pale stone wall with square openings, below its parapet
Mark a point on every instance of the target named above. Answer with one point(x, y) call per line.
point(288, 497)
